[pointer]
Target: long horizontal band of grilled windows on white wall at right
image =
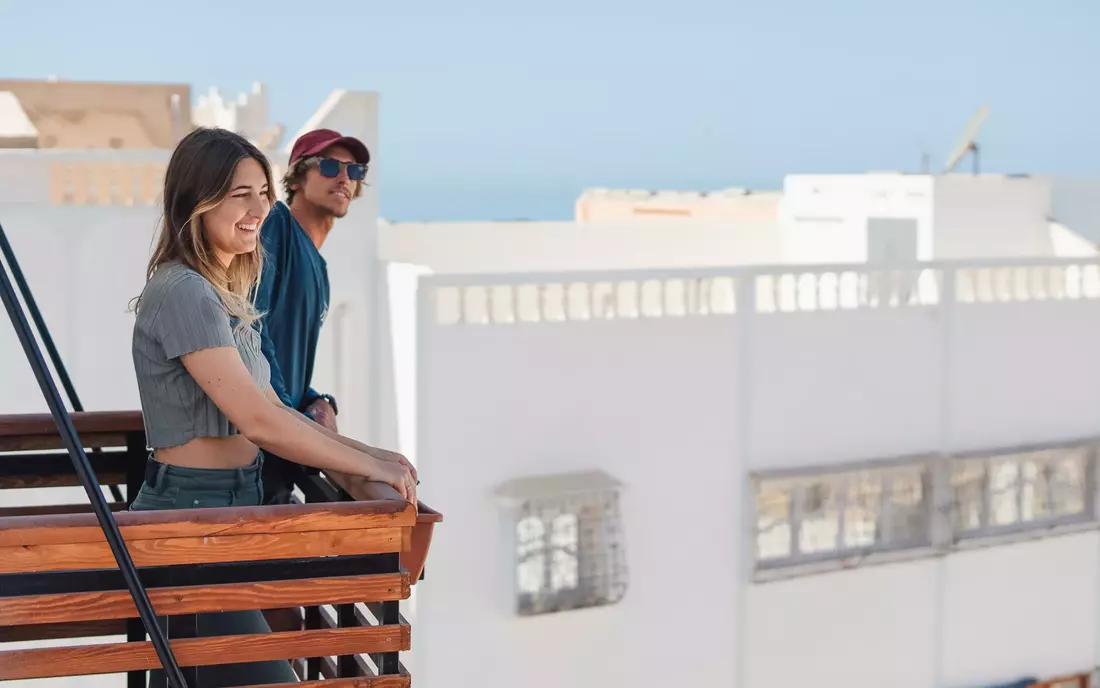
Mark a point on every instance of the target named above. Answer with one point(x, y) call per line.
point(939, 503)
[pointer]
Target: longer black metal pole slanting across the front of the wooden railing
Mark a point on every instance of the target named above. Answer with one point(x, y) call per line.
point(107, 522)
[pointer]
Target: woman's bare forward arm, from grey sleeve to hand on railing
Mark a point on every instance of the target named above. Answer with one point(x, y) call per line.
point(224, 377)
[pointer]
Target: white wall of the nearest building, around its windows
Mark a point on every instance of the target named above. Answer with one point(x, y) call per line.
point(681, 401)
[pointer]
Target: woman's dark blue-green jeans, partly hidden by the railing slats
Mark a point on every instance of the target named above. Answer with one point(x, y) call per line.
point(172, 487)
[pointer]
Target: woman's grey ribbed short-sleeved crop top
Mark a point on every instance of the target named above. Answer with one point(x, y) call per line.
point(180, 312)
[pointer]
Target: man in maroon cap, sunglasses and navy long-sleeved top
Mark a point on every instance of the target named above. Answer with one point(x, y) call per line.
point(326, 172)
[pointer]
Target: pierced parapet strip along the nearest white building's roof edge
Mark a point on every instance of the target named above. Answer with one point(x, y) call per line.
point(556, 298)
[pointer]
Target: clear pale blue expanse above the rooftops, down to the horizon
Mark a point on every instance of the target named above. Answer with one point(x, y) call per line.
point(508, 108)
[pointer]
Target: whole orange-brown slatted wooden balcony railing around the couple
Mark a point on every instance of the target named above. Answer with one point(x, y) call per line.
point(350, 547)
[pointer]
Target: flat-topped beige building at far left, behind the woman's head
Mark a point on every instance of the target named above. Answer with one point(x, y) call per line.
point(93, 115)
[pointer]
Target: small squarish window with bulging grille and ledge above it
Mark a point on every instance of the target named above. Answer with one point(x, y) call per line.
point(568, 533)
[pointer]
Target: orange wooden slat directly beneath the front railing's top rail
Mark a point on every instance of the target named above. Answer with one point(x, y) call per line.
point(217, 549)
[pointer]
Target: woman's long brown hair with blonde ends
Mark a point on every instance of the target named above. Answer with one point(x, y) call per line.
point(199, 179)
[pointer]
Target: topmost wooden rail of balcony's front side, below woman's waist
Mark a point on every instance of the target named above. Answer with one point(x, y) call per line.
point(141, 526)
